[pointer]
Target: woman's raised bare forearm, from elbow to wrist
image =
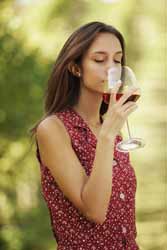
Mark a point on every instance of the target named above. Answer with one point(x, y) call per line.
point(98, 188)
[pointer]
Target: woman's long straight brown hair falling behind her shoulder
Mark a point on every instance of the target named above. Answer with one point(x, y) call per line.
point(63, 87)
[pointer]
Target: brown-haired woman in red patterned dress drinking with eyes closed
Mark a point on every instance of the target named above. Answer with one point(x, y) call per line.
point(89, 187)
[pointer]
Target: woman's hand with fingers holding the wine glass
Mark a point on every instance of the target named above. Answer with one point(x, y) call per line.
point(117, 112)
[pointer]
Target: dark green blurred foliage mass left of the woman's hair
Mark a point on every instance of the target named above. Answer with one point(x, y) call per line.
point(21, 79)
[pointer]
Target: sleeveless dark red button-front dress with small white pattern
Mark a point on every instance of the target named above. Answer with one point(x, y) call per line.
point(71, 229)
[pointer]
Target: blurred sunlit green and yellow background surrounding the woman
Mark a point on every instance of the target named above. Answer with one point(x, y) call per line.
point(31, 34)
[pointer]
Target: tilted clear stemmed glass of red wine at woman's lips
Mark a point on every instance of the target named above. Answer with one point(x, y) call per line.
point(128, 79)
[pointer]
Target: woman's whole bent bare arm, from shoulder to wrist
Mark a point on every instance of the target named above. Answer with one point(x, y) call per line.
point(90, 195)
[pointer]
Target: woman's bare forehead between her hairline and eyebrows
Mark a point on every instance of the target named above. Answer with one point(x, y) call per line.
point(105, 41)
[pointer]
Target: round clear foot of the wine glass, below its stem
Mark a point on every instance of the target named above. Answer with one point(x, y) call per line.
point(130, 144)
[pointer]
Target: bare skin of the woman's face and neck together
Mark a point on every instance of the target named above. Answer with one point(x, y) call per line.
point(104, 52)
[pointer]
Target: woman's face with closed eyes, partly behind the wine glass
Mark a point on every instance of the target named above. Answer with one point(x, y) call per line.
point(104, 53)
